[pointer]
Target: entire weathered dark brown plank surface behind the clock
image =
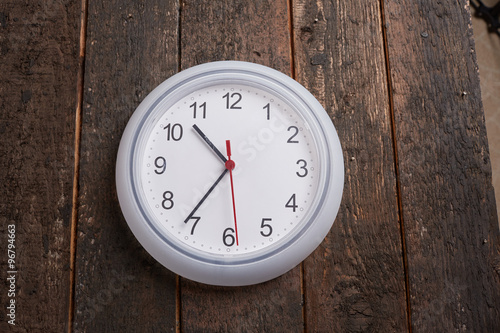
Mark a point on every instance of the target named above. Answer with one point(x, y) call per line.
point(415, 246)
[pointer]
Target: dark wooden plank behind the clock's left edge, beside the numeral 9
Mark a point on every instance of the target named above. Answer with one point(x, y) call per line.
point(131, 48)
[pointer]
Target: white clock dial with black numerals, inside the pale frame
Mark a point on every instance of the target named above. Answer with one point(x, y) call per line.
point(187, 185)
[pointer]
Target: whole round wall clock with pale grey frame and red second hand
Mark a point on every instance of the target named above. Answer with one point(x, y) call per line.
point(230, 173)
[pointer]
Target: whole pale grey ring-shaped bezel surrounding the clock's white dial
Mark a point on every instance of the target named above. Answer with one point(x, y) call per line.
point(231, 269)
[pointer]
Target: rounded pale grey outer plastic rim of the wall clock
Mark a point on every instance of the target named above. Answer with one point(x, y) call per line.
point(228, 271)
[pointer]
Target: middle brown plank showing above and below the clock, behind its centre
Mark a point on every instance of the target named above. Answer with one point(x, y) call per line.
point(254, 31)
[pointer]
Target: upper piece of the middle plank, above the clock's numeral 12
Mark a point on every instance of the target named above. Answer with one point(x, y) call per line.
point(255, 31)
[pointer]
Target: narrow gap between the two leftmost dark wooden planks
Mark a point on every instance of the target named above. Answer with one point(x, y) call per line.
point(76, 174)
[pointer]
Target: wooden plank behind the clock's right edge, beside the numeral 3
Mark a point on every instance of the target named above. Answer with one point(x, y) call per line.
point(355, 280)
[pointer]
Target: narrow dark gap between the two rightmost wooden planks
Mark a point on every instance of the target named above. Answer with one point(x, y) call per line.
point(396, 164)
